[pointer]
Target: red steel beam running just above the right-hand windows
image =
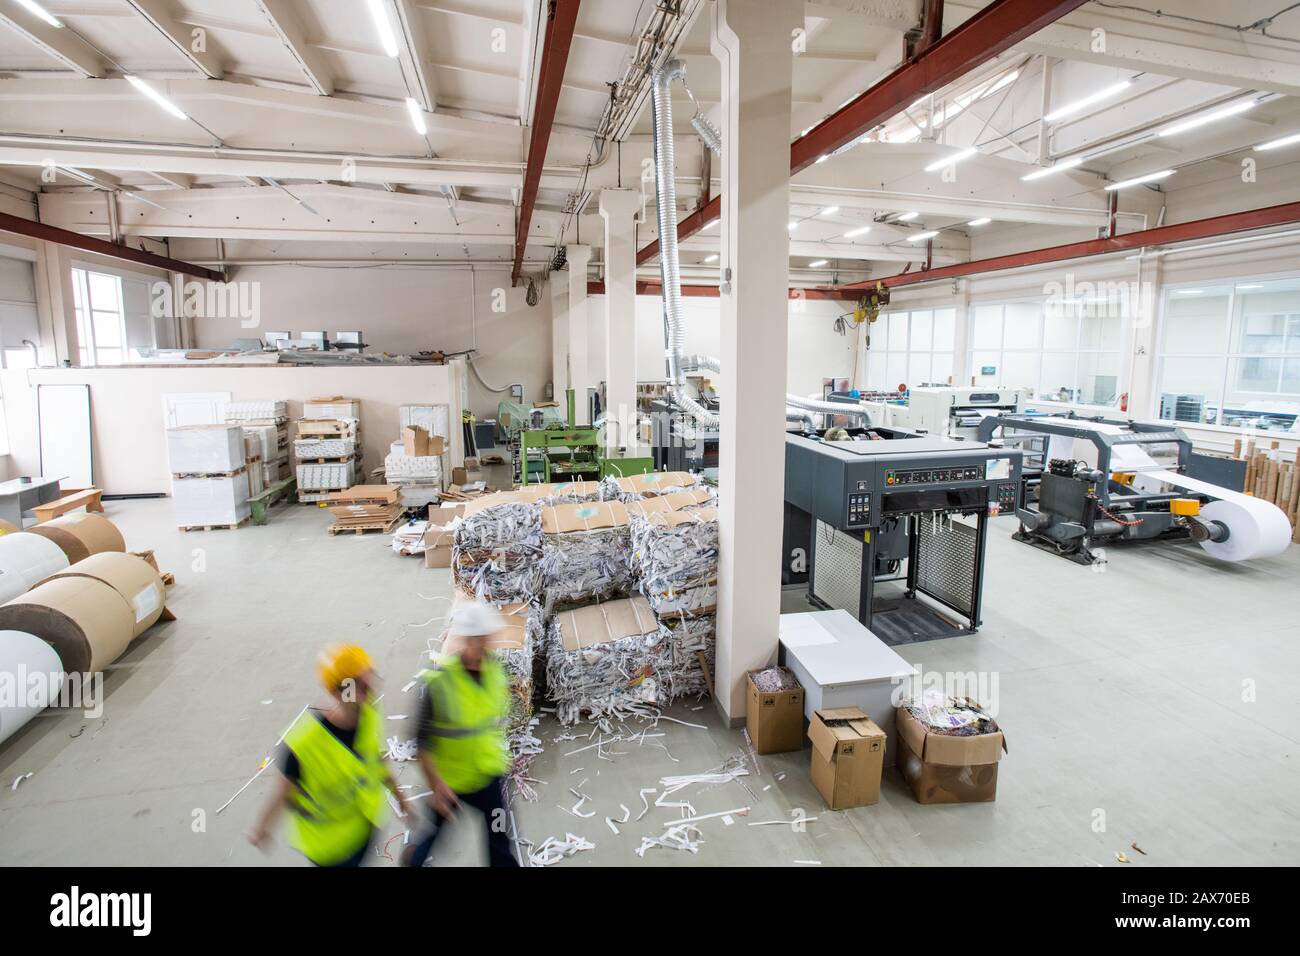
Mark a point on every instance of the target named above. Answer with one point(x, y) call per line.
point(1267, 218)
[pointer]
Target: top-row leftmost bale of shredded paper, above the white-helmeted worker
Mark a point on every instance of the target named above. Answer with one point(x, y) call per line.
point(497, 548)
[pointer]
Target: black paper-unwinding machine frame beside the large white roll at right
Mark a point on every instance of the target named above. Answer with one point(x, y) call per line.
point(1086, 478)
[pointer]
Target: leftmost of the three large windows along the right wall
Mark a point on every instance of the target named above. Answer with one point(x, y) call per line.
point(912, 349)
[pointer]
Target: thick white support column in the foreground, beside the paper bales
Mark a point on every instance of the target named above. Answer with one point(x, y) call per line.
point(752, 40)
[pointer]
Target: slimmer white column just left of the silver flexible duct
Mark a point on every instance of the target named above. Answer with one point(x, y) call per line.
point(618, 210)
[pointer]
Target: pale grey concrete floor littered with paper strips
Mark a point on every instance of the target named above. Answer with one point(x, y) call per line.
point(1152, 703)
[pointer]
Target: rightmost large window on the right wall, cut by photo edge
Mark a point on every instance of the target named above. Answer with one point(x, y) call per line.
point(1230, 354)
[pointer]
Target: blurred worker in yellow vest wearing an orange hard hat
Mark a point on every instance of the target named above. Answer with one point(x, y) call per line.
point(332, 775)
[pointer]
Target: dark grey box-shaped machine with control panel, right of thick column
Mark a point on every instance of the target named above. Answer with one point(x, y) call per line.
point(890, 508)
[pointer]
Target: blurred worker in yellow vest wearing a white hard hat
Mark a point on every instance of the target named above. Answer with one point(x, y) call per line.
point(462, 734)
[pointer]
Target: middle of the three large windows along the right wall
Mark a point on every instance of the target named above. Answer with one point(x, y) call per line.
point(1067, 351)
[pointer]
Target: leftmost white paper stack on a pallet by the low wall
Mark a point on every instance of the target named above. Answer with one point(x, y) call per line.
point(210, 481)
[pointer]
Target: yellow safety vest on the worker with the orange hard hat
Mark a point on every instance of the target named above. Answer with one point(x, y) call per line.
point(340, 794)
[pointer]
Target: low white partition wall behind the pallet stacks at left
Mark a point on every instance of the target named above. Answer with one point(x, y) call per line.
point(129, 447)
